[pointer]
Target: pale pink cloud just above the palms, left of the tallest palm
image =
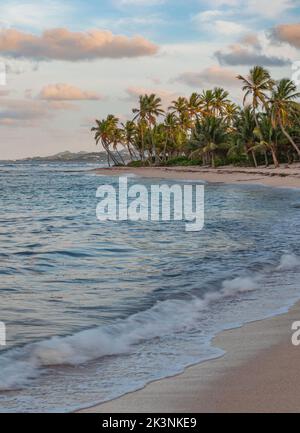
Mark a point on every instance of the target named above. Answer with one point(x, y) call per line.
point(215, 75)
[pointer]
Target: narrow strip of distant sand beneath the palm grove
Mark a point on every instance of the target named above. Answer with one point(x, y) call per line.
point(284, 177)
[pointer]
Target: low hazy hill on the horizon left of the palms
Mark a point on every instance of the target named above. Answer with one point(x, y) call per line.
point(68, 156)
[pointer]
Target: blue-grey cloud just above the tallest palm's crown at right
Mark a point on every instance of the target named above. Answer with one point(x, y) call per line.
point(240, 55)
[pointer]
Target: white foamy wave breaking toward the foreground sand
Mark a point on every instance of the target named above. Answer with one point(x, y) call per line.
point(18, 366)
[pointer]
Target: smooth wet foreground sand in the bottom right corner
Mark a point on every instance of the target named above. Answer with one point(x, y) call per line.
point(258, 372)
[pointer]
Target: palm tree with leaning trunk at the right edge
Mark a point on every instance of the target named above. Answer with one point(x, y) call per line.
point(284, 108)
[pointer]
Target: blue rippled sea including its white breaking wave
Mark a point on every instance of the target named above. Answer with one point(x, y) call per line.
point(94, 310)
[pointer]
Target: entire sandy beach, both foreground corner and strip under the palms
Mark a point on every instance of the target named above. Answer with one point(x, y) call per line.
point(259, 370)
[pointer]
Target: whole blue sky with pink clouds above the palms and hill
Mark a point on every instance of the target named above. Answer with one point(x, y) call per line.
point(68, 63)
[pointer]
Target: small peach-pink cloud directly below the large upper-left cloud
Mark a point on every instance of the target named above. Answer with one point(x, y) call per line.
point(66, 92)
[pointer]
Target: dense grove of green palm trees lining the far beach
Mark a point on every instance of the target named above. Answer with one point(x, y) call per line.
point(209, 129)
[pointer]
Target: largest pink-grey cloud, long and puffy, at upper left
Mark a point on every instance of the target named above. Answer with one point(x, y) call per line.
point(63, 44)
